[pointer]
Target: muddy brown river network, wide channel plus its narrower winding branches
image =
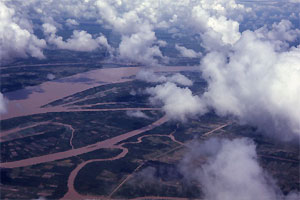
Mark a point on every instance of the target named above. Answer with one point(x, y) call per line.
point(29, 101)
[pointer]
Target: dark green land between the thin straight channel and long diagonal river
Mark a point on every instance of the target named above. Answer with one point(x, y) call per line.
point(90, 127)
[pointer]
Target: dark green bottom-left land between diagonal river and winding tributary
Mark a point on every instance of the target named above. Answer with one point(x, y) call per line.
point(47, 180)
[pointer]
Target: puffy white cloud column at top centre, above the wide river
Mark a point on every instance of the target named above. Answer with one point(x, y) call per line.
point(137, 35)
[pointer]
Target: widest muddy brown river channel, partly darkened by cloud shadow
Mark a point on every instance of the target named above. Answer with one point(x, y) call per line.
point(28, 101)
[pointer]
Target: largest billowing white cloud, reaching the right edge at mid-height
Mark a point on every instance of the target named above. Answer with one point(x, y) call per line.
point(257, 84)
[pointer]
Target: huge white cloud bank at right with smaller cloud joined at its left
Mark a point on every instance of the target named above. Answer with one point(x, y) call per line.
point(252, 76)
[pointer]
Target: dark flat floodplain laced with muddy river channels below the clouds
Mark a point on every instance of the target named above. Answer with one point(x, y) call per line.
point(79, 141)
